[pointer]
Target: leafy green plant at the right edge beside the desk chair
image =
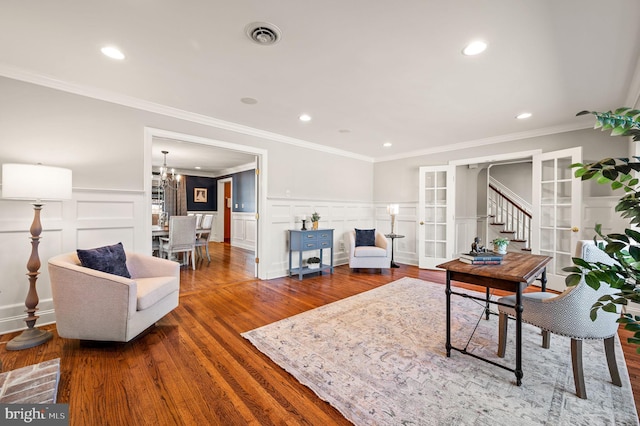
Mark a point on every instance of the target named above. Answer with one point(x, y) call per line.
point(623, 246)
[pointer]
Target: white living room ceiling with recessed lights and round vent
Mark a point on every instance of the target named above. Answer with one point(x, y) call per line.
point(368, 72)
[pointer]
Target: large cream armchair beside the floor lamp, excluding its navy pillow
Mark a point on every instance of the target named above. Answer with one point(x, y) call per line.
point(94, 305)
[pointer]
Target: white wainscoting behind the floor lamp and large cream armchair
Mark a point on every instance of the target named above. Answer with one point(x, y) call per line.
point(91, 219)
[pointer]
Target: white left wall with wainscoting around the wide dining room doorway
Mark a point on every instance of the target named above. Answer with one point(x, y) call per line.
point(103, 143)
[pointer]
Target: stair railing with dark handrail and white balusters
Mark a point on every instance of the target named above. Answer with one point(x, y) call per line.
point(514, 217)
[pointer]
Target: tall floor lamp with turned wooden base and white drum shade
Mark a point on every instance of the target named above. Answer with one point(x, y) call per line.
point(36, 183)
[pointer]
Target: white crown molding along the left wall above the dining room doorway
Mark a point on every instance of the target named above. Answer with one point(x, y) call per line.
point(120, 99)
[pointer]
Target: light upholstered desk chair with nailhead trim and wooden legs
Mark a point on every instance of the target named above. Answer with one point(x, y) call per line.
point(568, 314)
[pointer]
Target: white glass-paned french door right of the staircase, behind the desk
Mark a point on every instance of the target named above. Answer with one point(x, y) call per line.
point(557, 200)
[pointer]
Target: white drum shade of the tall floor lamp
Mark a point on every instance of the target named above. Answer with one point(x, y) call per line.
point(35, 182)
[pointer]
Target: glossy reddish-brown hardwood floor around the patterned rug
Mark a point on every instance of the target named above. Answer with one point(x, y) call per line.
point(193, 367)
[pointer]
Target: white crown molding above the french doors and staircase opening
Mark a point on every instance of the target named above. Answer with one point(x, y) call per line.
point(488, 141)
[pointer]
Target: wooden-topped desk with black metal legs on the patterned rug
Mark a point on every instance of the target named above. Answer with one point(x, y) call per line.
point(516, 272)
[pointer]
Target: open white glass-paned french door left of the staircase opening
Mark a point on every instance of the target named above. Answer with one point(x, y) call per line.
point(436, 215)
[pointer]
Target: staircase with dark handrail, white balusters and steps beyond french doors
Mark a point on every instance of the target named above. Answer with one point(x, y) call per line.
point(509, 217)
